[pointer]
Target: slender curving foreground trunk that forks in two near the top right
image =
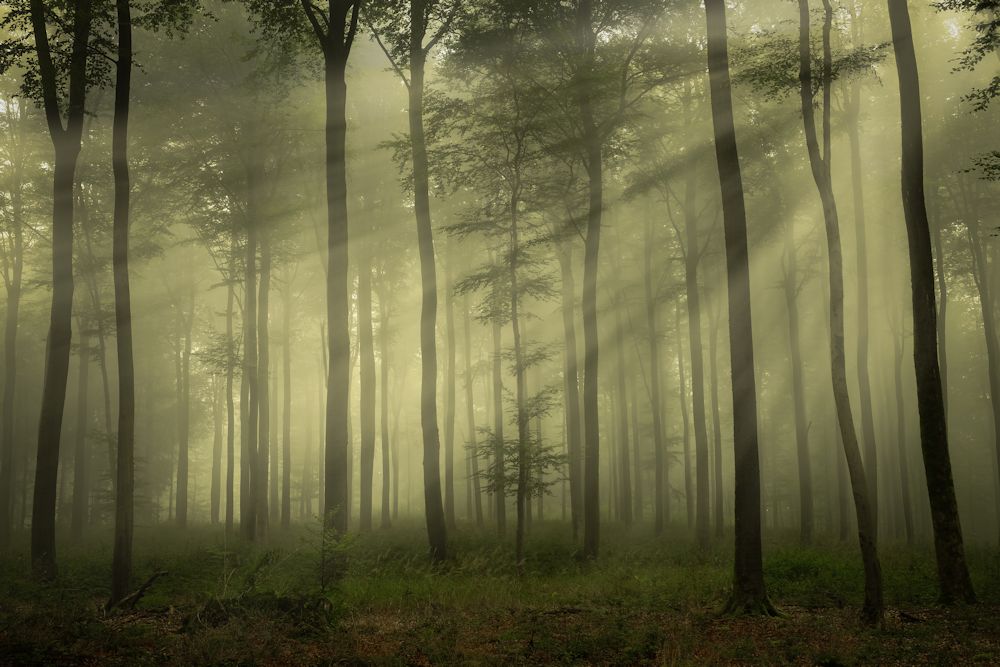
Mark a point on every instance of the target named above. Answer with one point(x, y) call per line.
point(872, 611)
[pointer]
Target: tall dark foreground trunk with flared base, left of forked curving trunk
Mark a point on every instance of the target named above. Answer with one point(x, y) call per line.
point(749, 595)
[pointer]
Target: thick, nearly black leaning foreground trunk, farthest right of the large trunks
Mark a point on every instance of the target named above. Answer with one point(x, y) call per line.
point(953, 573)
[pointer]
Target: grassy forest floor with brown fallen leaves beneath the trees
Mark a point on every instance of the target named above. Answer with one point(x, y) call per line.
point(376, 600)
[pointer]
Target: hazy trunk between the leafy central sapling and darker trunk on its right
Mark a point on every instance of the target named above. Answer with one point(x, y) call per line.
point(571, 388)
